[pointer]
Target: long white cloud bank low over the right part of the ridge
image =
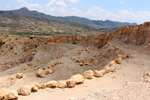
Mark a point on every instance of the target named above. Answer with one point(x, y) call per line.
point(97, 13)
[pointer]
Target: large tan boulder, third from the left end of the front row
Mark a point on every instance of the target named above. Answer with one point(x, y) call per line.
point(24, 90)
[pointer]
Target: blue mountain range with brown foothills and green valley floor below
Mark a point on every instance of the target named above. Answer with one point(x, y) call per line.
point(24, 20)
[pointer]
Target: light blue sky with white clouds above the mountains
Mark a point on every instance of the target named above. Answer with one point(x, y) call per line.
point(116, 10)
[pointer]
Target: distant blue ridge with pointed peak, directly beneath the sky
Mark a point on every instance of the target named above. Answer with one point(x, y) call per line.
point(95, 23)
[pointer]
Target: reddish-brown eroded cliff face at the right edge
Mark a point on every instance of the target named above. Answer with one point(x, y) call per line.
point(137, 35)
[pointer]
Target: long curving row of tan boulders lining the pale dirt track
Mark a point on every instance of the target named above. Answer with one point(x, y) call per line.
point(70, 83)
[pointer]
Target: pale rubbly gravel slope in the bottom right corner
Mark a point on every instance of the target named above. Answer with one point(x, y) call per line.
point(130, 91)
